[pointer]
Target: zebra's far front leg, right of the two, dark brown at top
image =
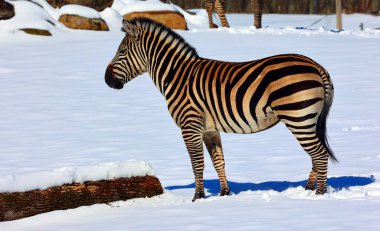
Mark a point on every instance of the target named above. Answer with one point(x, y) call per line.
point(214, 147)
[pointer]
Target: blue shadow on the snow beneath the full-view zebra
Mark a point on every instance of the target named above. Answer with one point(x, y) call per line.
point(338, 183)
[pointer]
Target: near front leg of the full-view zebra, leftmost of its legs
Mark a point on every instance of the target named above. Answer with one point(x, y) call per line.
point(194, 145)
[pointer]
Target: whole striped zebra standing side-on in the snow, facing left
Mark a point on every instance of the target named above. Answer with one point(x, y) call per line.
point(206, 97)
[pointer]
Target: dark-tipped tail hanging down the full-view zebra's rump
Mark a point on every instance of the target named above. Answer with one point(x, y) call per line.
point(322, 119)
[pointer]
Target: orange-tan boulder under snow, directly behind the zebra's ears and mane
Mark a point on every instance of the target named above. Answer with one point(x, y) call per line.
point(171, 19)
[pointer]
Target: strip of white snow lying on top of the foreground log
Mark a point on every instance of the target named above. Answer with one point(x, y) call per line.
point(80, 174)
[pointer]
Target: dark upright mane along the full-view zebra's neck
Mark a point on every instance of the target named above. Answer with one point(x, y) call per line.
point(149, 25)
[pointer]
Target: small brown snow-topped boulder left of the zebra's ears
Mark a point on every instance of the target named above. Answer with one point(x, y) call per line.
point(82, 23)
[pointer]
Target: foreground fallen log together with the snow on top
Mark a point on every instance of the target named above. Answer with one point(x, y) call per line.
point(66, 188)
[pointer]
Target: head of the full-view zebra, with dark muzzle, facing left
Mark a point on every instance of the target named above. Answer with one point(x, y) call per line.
point(129, 60)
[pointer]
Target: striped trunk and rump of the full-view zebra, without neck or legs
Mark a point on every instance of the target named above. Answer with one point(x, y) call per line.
point(253, 96)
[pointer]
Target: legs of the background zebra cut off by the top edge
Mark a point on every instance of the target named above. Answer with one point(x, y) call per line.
point(257, 7)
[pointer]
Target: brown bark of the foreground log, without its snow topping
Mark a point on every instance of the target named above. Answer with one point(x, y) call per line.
point(18, 205)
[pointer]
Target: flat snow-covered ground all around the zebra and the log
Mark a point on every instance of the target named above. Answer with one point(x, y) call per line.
point(56, 111)
